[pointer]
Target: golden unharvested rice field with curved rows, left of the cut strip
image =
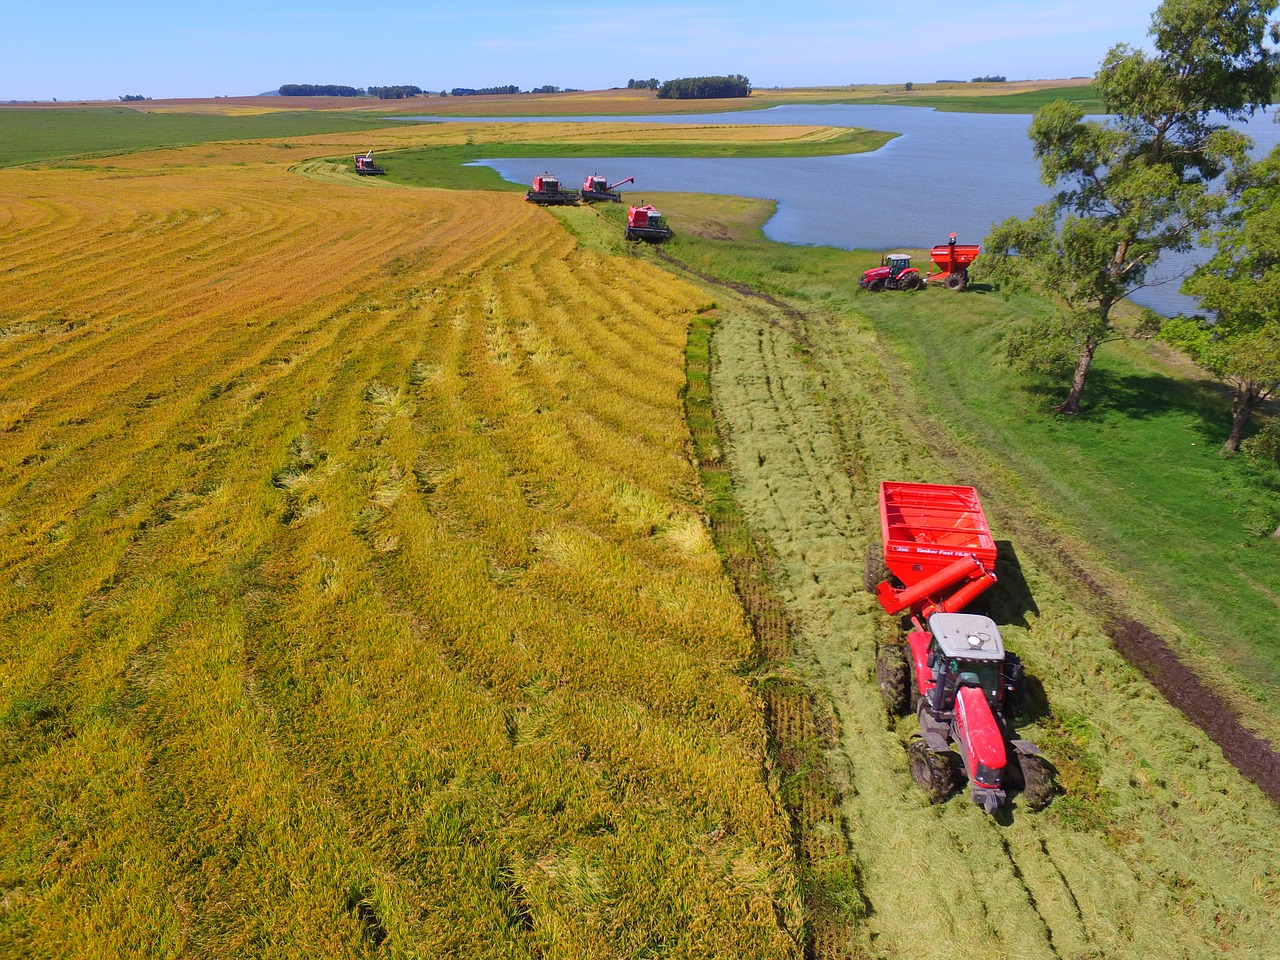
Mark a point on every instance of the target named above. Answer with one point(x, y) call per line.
point(355, 584)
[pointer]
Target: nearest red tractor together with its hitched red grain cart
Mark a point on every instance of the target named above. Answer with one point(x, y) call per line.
point(954, 671)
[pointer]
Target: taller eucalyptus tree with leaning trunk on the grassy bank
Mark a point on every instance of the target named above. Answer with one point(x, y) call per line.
point(1139, 184)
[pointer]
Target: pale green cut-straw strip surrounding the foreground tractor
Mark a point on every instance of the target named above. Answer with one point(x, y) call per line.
point(1159, 848)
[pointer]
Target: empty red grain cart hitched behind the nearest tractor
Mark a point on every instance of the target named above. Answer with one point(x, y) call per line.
point(939, 554)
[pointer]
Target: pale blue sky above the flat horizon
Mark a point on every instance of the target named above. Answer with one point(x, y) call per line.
point(98, 51)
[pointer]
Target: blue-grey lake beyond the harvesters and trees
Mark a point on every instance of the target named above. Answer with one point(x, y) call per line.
point(948, 172)
